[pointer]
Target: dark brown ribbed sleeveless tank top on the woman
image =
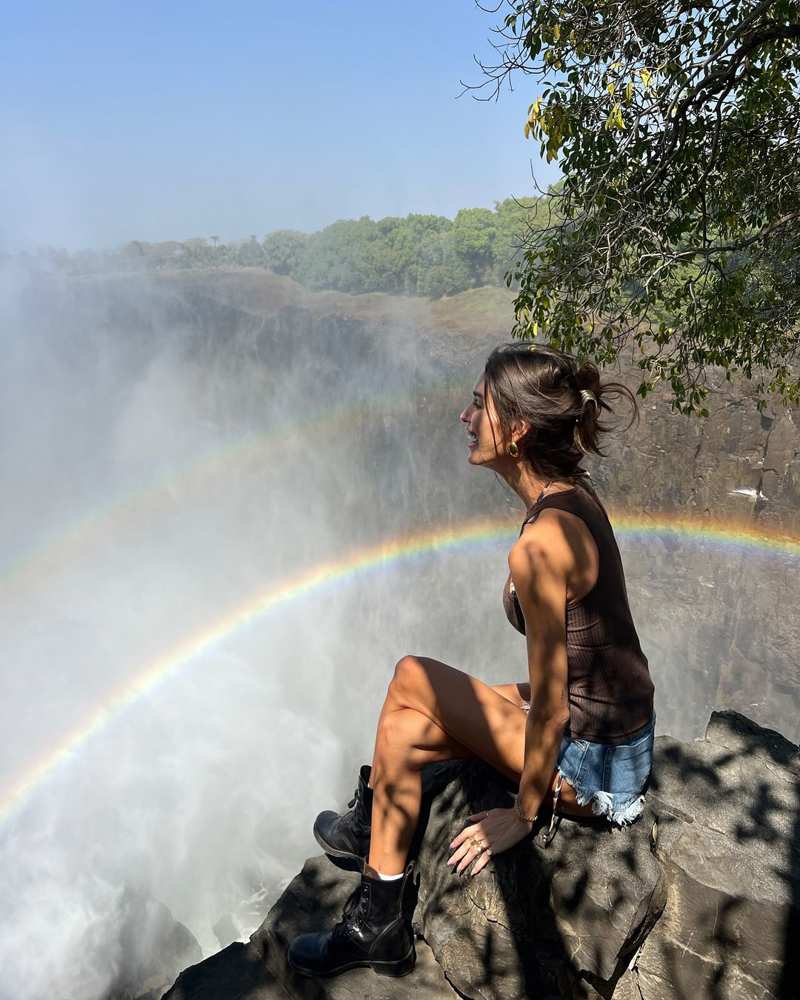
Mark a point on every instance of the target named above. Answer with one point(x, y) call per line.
point(609, 686)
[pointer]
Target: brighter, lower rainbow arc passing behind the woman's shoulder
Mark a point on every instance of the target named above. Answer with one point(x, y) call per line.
point(464, 536)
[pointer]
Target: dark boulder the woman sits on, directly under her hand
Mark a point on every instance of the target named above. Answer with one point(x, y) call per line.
point(542, 915)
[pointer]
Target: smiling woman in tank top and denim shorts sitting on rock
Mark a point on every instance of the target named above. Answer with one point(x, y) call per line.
point(578, 736)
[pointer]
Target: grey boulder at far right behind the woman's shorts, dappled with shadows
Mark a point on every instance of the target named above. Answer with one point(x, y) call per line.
point(729, 848)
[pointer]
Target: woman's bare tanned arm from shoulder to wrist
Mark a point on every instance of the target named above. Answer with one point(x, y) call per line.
point(541, 563)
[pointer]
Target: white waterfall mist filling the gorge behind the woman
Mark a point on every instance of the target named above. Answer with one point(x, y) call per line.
point(164, 459)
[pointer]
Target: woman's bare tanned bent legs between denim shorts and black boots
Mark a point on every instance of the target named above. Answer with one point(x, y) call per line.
point(434, 712)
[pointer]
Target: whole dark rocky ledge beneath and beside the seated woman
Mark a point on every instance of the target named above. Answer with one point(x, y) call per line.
point(699, 899)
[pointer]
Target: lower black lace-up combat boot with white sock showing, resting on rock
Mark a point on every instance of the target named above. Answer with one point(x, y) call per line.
point(374, 931)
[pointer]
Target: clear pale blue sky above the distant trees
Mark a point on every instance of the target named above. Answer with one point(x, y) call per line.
point(170, 120)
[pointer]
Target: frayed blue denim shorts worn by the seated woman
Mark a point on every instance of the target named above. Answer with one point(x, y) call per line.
point(610, 777)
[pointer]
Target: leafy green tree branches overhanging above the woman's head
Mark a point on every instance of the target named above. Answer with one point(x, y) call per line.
point(676, 229)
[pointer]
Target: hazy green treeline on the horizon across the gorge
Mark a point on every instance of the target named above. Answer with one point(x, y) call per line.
point(427, 255)
